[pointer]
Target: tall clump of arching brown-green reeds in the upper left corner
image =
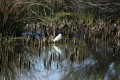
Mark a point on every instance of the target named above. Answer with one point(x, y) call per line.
point(15, 14)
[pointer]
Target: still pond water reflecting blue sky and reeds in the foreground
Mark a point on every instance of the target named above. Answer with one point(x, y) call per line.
point(60, 61)
